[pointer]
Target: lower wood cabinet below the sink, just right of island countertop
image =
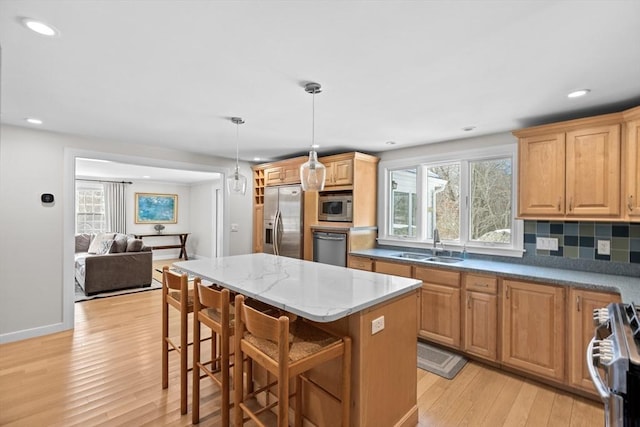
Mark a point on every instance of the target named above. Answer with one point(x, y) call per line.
point(439, 306)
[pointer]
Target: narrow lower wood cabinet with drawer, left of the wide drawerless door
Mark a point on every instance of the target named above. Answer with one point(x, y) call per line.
point(480, 316)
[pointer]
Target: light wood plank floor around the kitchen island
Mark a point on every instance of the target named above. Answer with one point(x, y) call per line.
point(107, 372)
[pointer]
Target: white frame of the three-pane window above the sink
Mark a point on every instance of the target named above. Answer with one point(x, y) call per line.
point(464, 158)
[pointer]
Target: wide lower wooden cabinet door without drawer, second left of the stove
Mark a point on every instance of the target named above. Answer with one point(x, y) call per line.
point(533, 328)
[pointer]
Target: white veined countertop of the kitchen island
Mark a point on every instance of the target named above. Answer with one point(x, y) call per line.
point(315, 291)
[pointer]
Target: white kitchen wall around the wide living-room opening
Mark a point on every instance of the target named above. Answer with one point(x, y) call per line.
point(36, 241)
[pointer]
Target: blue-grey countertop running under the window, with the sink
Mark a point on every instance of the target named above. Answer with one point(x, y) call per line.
point(628, 287)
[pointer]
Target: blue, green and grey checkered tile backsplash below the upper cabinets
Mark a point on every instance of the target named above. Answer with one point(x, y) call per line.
point(579, 240)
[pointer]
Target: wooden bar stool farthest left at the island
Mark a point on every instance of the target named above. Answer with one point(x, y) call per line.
point(176, 294)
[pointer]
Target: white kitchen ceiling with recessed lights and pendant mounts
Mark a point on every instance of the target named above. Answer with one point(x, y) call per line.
point(171, 73)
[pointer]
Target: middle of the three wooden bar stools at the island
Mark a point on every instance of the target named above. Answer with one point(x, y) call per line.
point(212, 308)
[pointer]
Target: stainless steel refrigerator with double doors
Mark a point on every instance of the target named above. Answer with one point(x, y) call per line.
point(283, 220)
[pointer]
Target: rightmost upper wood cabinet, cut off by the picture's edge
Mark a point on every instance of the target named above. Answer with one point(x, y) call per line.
point(631, 194)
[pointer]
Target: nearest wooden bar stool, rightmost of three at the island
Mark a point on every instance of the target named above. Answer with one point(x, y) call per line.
point(286, 351)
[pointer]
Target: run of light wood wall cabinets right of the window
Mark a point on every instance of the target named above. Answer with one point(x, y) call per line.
point(574, 170)
